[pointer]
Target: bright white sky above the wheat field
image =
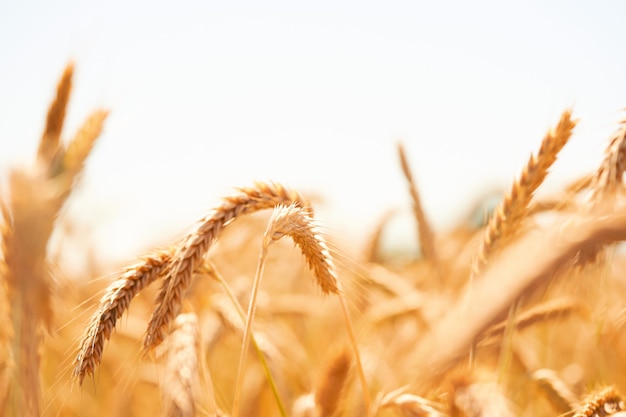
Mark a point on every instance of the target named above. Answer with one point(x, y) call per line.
point(207, 95)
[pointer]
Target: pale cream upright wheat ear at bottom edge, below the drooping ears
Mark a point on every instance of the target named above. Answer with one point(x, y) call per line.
point(181, 385)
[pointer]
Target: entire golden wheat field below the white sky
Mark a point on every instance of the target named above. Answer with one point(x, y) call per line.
point(256, 311)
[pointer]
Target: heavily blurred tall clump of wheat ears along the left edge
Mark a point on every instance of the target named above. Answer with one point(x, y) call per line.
point(30, 209)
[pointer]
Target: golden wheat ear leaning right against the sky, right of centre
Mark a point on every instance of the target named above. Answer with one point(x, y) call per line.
point(508, 216)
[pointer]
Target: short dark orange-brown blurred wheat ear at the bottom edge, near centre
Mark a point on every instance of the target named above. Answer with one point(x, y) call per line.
point(331, 385)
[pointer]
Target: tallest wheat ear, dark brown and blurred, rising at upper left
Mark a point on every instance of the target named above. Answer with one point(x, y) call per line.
point(49, 143)
